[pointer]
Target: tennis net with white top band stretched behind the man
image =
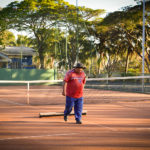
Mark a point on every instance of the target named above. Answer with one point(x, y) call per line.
point(49, 92)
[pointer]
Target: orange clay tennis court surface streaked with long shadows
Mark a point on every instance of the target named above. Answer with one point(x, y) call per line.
point(114, 121)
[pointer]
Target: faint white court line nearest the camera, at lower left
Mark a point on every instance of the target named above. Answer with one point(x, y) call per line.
point(28, 137)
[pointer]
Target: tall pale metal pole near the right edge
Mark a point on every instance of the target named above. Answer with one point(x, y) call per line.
point(143, 45)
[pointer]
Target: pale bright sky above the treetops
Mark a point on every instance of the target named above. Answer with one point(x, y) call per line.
point(108, 5)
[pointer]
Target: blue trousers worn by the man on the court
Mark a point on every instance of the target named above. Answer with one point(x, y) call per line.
point(78, 106)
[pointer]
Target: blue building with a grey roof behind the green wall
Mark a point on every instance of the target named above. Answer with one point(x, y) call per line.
point(17, 57)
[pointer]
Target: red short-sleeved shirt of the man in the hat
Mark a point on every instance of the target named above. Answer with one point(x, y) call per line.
point(75, 83)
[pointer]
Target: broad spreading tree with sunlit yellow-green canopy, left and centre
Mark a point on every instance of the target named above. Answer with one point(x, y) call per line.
point(42, 18)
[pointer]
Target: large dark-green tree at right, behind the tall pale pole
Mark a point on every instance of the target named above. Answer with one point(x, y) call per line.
point(127, 26)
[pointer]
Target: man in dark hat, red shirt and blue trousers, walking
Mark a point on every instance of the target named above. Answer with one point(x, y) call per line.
point(73, 86)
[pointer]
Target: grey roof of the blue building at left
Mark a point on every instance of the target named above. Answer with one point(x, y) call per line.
point(27, 51)
